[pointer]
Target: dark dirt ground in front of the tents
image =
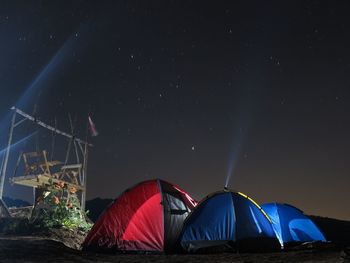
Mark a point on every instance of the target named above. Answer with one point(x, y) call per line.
point(38, 249)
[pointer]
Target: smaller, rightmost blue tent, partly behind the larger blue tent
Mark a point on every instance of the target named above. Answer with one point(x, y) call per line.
point(291, 225)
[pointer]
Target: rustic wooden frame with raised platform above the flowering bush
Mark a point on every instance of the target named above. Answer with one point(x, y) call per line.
point(41, 172)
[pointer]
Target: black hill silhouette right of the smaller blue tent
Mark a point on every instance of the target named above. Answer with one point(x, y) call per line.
point(337, 231)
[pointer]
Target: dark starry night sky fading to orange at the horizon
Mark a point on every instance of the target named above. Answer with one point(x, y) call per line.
point(190, 92)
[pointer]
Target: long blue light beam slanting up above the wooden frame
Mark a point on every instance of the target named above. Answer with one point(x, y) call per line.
point(33, 88)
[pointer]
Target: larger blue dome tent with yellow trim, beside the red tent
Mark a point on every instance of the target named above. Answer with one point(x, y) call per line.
point(227, 219)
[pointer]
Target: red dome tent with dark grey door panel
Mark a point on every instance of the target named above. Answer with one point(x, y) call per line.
point(147, 217)
